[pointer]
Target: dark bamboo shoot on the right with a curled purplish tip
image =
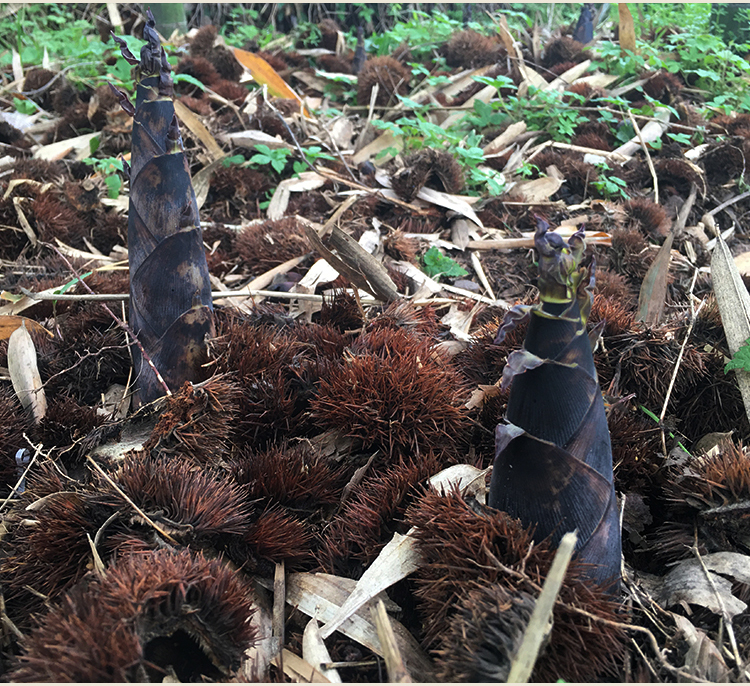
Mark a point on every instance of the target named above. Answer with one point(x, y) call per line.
point(553, 460)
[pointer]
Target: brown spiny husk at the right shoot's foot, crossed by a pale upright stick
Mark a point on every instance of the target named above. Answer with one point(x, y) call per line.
point(463, 541)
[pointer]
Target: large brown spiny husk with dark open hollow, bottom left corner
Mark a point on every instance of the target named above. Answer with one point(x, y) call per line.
point(144, 599)
